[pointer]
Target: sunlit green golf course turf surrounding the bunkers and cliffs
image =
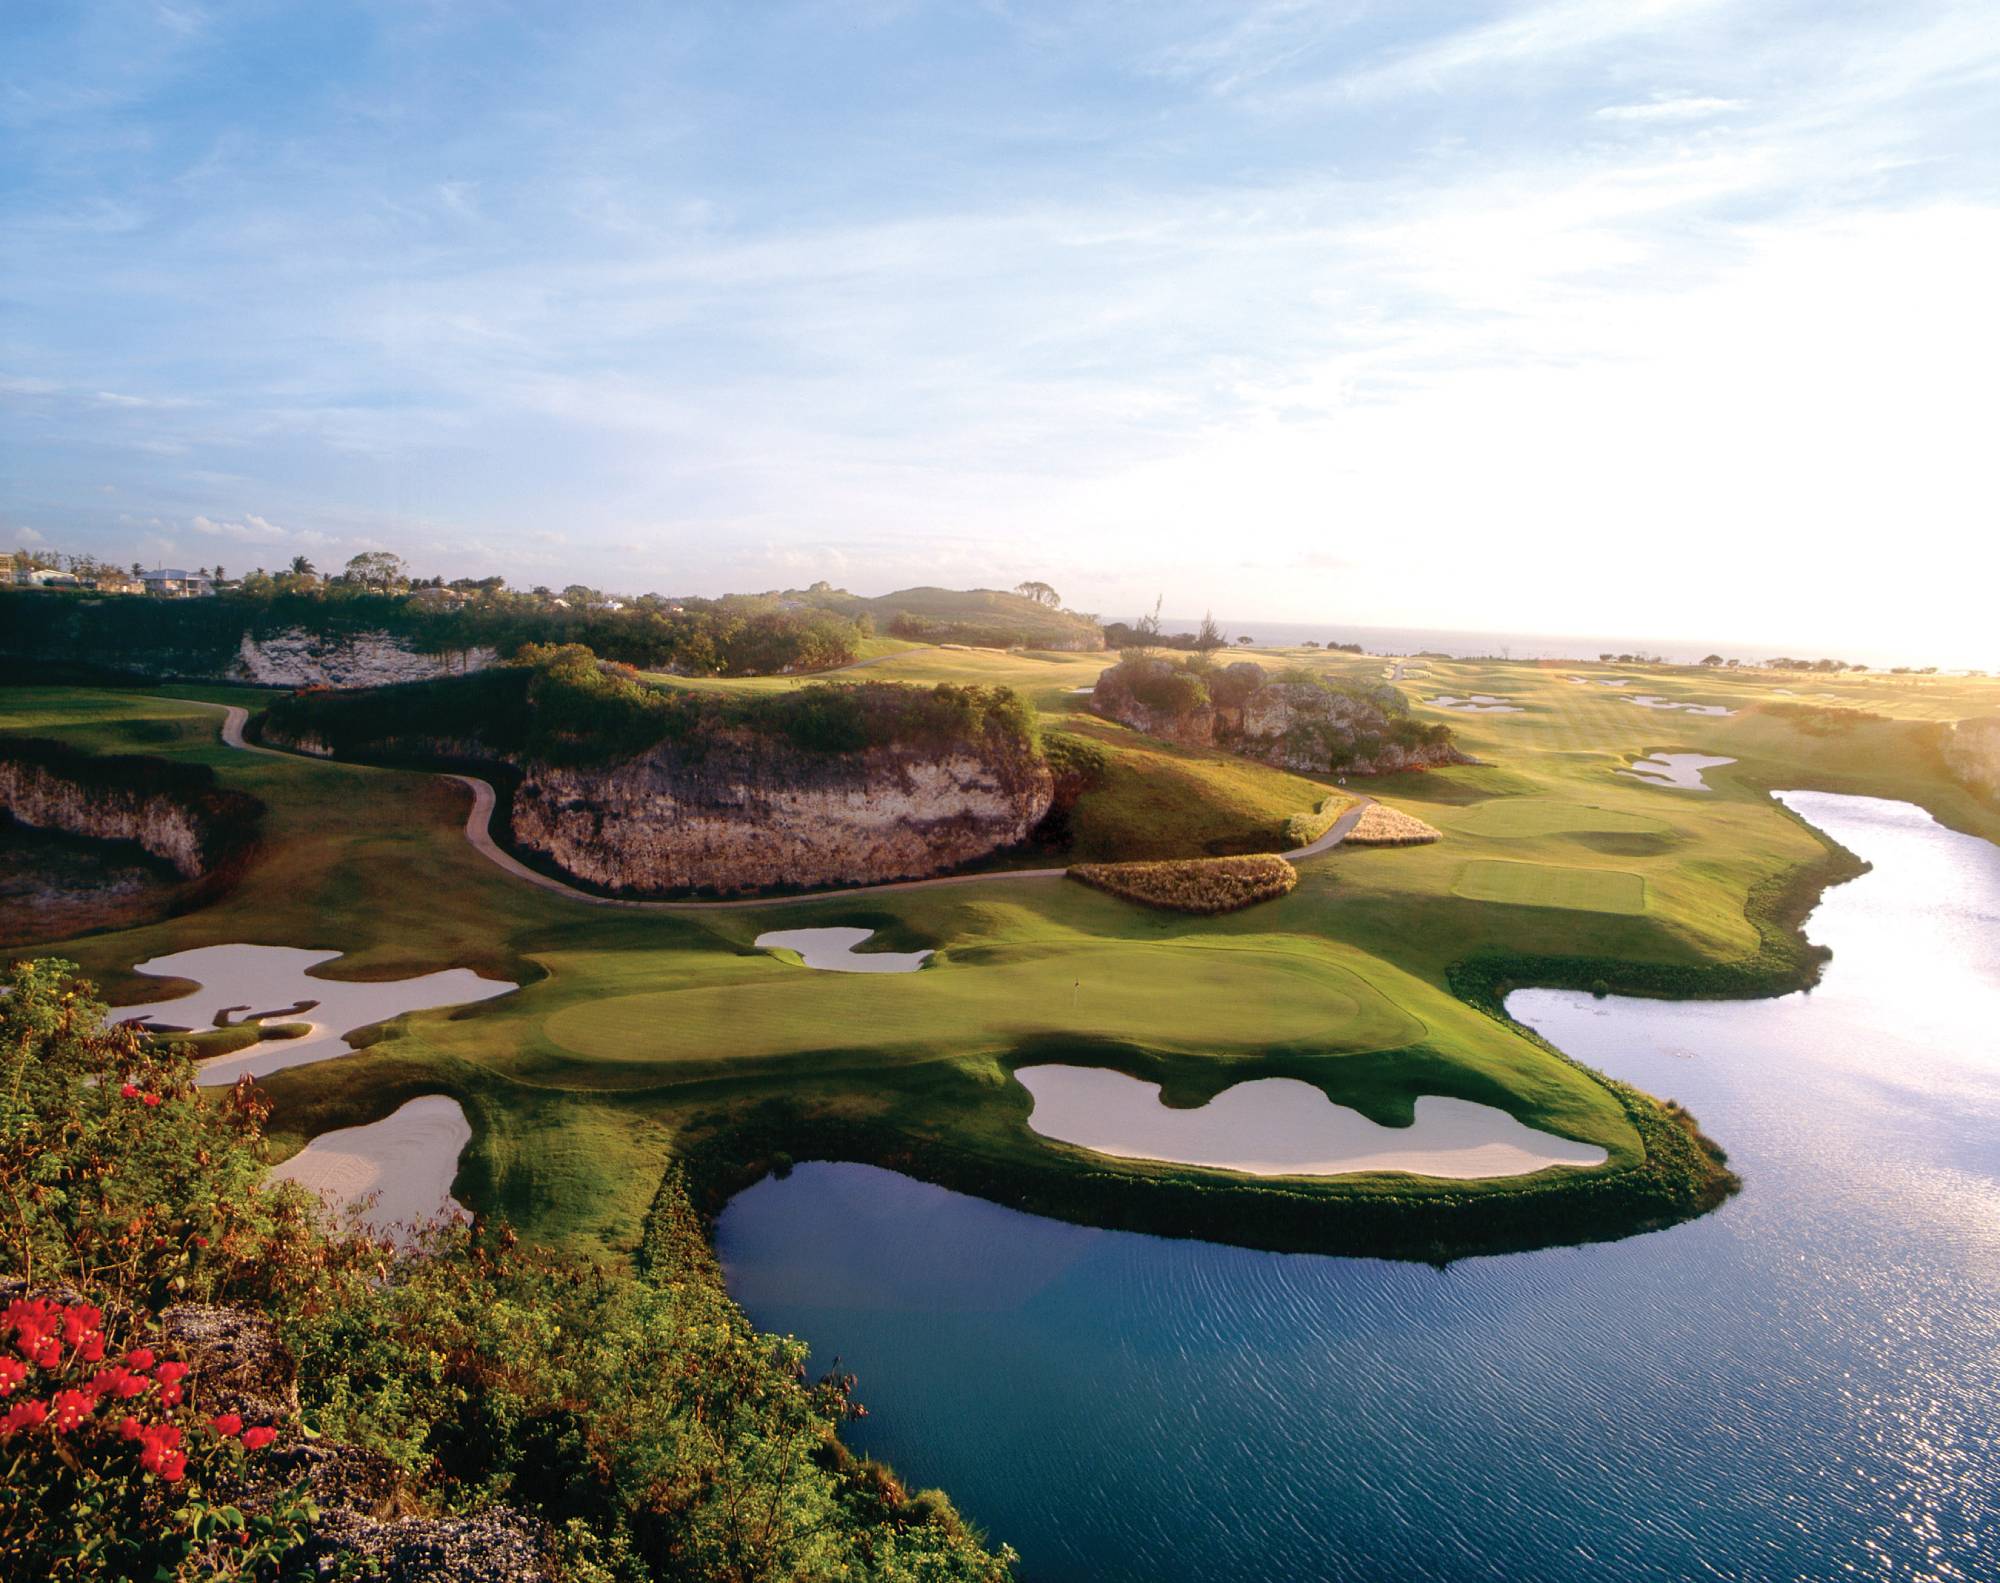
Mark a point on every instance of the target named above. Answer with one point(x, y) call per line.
point(641, 1032)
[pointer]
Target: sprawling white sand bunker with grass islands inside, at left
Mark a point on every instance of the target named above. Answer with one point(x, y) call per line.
point(269, 978)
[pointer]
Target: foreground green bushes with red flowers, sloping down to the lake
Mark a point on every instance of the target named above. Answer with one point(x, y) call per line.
point(635, 1412)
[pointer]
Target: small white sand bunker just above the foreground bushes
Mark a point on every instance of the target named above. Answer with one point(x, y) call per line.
point(405, 1162)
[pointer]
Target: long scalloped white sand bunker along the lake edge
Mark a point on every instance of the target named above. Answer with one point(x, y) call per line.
point(1279, 1126)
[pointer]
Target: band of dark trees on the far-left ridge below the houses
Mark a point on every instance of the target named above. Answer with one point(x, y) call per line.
point(735, 637)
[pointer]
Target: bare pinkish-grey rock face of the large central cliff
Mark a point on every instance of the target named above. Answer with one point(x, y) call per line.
point(743, 812)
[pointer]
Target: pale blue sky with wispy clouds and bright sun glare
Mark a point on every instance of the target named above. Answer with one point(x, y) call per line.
point(1653, 317)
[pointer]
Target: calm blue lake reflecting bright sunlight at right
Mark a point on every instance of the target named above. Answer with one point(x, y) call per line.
point(1803, 1386)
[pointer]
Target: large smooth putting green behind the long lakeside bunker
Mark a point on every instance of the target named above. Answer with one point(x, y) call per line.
point(1175, 996)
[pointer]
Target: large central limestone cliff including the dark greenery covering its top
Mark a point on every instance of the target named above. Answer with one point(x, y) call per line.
point(641, 789)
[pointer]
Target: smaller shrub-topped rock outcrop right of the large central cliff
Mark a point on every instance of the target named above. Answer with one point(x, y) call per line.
point(1303, 725)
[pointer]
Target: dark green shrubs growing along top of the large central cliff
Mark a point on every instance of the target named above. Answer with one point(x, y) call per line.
point(565, 707)
